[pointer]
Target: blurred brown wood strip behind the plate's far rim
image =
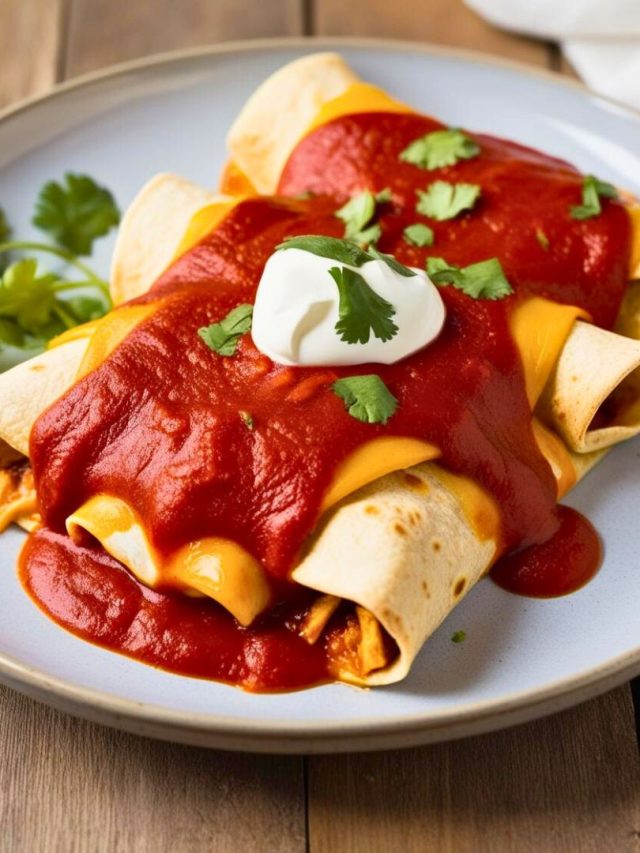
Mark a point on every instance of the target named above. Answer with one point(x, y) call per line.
point(46, 41)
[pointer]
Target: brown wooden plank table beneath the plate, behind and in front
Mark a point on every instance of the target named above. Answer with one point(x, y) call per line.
point(567, 783)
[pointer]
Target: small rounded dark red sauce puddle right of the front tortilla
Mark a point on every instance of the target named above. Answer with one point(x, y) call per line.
point(559, 566)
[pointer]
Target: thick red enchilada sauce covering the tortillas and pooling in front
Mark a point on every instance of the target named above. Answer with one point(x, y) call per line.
point(159, 423)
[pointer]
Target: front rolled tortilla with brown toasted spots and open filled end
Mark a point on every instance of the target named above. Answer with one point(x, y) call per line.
point(413, 554)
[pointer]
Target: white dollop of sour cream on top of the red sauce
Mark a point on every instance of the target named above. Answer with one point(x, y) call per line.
point(296, 311)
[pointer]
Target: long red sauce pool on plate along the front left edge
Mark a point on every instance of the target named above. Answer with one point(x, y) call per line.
point(93, 596)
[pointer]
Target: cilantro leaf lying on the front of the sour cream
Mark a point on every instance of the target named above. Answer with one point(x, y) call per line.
point(361, 310)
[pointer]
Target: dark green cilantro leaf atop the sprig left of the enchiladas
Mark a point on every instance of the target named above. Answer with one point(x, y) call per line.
point(76, 213)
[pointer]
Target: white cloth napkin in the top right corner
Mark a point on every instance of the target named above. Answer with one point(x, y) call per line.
point(601, 38)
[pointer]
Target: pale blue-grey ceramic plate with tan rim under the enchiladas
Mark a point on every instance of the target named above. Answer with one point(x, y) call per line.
point(522, 657)
